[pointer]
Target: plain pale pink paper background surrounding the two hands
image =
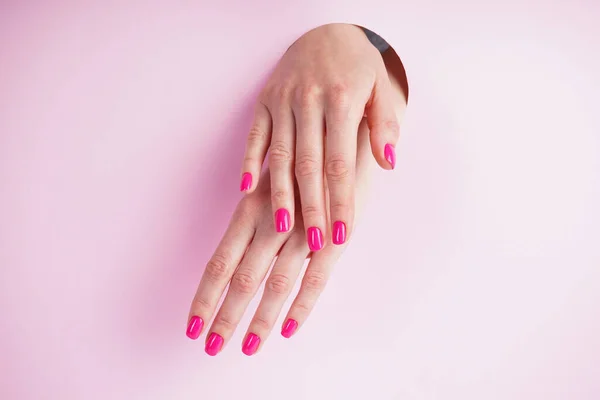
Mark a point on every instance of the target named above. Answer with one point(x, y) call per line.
point(474, 272)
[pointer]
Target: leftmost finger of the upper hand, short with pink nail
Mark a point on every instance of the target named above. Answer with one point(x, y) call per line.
point(256, 148)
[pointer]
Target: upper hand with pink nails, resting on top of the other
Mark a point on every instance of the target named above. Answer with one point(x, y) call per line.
point(307, 119)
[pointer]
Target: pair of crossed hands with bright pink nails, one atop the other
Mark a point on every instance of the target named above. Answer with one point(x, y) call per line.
point(328, 98)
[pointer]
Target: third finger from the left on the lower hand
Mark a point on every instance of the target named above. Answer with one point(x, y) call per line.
point(278, 286)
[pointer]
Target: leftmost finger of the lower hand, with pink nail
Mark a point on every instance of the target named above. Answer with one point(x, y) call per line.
point(219, 270)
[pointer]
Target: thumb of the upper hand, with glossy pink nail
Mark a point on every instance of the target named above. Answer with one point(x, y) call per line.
point(383, 123)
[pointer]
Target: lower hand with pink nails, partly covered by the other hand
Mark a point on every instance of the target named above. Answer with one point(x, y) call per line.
point(243, 258)
